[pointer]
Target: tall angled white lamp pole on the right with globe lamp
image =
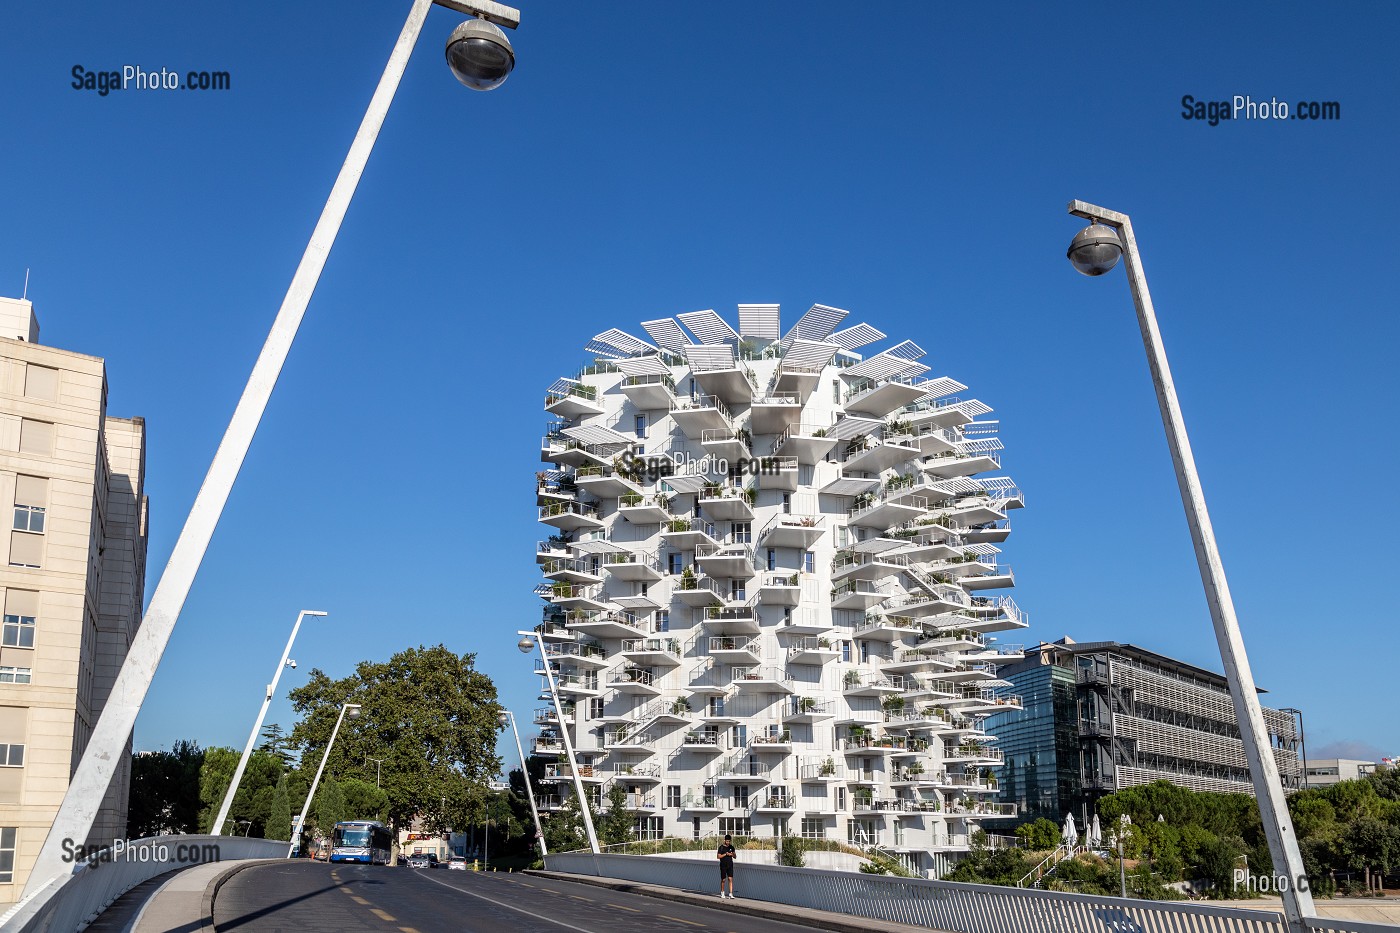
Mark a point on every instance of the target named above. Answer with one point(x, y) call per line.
point(1094, 251)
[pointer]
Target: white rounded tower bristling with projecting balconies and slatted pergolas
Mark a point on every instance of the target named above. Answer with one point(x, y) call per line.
point(796, 630)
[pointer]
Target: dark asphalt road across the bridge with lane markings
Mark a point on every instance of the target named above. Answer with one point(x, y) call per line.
point(311, 897)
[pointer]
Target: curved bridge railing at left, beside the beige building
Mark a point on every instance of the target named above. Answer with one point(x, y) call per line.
point(71, 903)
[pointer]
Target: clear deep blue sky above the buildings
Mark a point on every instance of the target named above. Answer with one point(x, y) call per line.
point(649, 159)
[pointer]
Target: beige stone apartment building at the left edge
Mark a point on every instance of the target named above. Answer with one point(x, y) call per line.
point(72, 579)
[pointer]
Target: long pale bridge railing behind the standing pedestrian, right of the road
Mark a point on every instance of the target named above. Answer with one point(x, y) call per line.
point(948, 906)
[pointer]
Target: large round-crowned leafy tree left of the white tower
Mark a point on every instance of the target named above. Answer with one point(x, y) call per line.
point(428, 712)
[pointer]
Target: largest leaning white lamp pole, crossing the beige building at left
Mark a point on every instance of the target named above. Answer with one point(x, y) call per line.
point(482, 58)
